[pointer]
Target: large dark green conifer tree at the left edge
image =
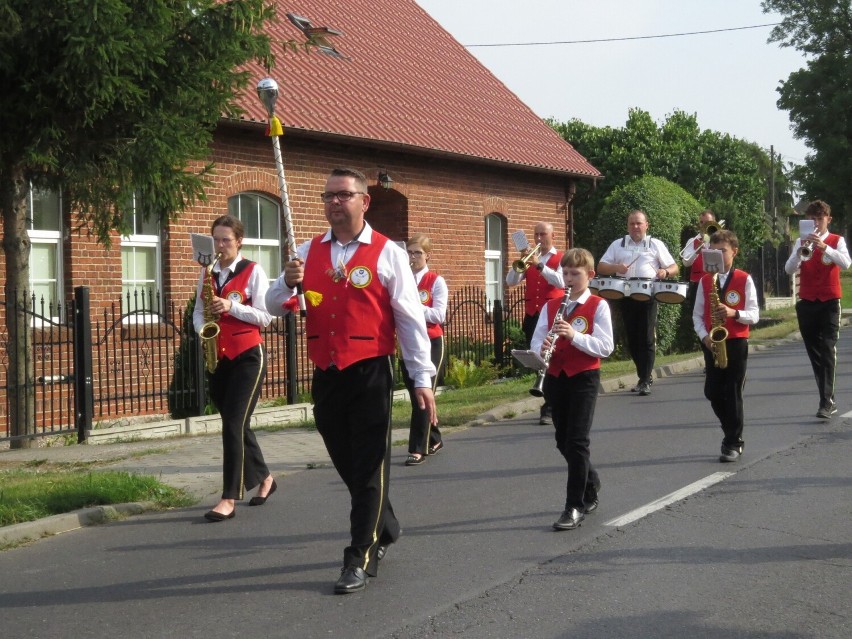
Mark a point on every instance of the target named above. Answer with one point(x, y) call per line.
point(112, 101)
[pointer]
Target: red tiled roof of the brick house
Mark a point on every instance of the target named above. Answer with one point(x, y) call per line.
point(406, 83)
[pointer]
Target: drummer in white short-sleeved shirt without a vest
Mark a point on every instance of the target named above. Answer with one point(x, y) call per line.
point(638, 255)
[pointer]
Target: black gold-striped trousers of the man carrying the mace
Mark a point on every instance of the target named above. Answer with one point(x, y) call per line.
point(352, 412)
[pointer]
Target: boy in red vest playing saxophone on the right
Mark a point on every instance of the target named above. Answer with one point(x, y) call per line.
point(734, 306)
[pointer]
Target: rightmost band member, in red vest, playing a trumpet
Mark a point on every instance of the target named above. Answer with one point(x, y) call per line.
point(818, 307)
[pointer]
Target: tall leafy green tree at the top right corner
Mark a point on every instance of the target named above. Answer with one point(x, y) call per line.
point(819, 96)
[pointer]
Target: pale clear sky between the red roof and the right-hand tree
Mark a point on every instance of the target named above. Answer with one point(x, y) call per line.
point(728, 79)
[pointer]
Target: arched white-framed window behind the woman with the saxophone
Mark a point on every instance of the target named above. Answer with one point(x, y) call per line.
point(260, 216)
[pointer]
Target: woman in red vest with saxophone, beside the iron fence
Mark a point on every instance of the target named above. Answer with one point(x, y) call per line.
point(238, 302)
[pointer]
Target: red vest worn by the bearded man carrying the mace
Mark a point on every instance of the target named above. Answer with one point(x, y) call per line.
point(352, 319)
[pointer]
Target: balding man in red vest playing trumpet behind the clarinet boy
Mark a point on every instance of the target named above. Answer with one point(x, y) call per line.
point(543, 283)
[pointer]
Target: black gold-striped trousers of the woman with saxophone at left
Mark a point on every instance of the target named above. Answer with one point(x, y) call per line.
point(235, 388)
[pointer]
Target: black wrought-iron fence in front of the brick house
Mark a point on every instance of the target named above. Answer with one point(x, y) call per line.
point(140, 356)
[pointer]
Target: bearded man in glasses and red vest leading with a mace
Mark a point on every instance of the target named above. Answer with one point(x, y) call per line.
point(360, 295)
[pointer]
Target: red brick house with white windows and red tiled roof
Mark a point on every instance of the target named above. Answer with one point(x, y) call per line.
point(469, 162)
